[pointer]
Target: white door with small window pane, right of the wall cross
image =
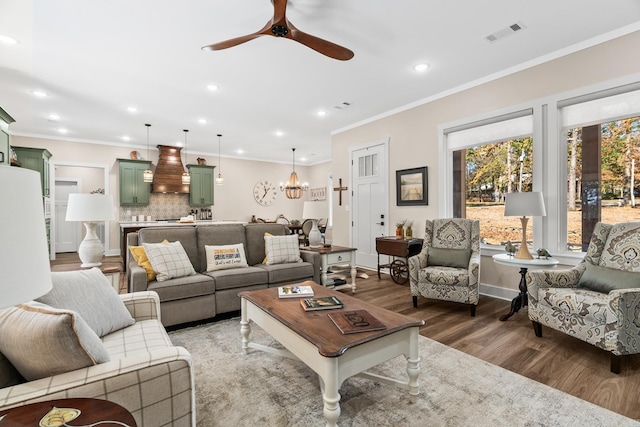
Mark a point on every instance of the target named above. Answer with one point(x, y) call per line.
point(370, 204)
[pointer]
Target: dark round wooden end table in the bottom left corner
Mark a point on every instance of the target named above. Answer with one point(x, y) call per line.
point(90, 412)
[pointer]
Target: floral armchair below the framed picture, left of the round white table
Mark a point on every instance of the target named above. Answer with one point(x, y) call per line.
point(448, 267)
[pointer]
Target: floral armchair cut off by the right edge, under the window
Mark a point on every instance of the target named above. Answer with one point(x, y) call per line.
point(598, 300)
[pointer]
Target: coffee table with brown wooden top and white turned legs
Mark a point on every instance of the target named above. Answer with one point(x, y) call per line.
point(311, 337)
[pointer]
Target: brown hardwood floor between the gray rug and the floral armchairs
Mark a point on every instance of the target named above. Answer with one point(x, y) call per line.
point(556, 359)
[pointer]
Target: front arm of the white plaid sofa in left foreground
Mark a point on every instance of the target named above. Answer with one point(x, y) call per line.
point(119, 382)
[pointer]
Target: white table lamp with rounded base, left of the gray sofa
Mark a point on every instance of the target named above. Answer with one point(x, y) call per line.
point(90, 209)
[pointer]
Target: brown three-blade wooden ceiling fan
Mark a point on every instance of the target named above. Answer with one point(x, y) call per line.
point(279, 26)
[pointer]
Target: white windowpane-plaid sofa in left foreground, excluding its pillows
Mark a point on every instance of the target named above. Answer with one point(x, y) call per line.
point(147, 374)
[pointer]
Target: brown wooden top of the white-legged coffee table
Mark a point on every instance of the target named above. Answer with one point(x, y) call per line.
point(317, 328)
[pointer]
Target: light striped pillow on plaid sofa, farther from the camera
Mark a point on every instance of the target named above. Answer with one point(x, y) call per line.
point(89, 293)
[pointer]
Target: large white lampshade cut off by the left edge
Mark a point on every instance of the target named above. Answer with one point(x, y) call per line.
point(25, 272)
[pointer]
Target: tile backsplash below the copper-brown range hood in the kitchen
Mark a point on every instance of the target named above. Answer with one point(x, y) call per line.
point(161, 206)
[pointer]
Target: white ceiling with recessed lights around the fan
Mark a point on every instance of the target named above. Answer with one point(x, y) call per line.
point(95, 58)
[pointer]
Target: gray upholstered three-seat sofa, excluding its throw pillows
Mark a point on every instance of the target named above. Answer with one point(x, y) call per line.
point(210, 293)
